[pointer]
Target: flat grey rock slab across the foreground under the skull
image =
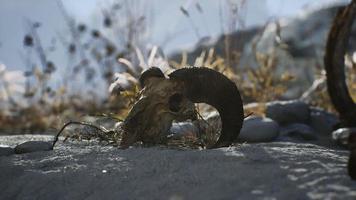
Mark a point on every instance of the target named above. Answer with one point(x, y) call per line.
point(81, 170)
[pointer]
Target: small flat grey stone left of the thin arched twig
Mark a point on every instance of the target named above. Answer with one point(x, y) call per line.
point(33, 146)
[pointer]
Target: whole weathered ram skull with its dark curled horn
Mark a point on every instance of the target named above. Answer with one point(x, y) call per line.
point(163, 100)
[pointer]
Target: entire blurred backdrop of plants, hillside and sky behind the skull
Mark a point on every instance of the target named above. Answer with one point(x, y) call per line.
point(61, 60)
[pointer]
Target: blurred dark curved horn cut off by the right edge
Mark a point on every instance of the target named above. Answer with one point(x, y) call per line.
point(335, 64)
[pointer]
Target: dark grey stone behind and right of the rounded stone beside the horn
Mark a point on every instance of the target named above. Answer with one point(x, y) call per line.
point(287, 112)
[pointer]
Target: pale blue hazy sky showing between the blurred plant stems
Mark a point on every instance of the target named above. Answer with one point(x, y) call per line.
point(168, 19)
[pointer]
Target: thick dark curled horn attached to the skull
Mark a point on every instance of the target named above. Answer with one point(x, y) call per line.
point(203, 85)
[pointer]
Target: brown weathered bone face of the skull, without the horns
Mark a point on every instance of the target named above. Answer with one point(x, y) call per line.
point(161, 101)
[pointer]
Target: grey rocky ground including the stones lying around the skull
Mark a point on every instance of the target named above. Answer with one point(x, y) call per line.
point(288, 153)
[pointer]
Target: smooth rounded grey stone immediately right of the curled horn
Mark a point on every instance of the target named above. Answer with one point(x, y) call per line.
point(258, 129)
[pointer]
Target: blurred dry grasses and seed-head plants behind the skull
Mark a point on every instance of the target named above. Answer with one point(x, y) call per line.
point(92, 55)
